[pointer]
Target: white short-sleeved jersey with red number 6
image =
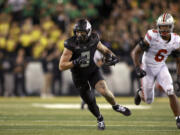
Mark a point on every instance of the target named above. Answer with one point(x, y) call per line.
point(159, 48)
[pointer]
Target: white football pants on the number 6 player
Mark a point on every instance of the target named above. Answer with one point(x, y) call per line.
point(161, 75)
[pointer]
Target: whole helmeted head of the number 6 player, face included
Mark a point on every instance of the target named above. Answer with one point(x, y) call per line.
point(165, 24)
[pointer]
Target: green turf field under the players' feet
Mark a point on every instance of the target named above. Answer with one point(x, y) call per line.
point(26, 116)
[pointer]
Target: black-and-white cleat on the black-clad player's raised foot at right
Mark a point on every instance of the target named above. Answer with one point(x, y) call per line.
point(124, 110)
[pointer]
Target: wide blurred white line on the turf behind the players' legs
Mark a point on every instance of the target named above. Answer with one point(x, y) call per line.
point(77, 106)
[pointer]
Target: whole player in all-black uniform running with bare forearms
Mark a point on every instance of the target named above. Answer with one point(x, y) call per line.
point(78, 56)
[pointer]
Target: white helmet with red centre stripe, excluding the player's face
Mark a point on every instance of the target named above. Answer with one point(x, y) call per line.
point(165, 19)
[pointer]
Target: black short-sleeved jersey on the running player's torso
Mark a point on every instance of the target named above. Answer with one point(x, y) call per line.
point(83, 49)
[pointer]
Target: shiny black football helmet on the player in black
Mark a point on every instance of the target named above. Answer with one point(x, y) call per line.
point(83, 25)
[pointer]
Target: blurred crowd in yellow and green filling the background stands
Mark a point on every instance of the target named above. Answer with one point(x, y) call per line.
point(35, 30)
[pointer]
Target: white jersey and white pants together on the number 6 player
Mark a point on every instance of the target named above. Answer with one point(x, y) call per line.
point(153, 63)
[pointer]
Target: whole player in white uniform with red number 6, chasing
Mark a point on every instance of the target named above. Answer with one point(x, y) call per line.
point(156, 47)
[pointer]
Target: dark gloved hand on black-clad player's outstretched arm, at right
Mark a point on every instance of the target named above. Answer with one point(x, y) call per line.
point(110, 60)
